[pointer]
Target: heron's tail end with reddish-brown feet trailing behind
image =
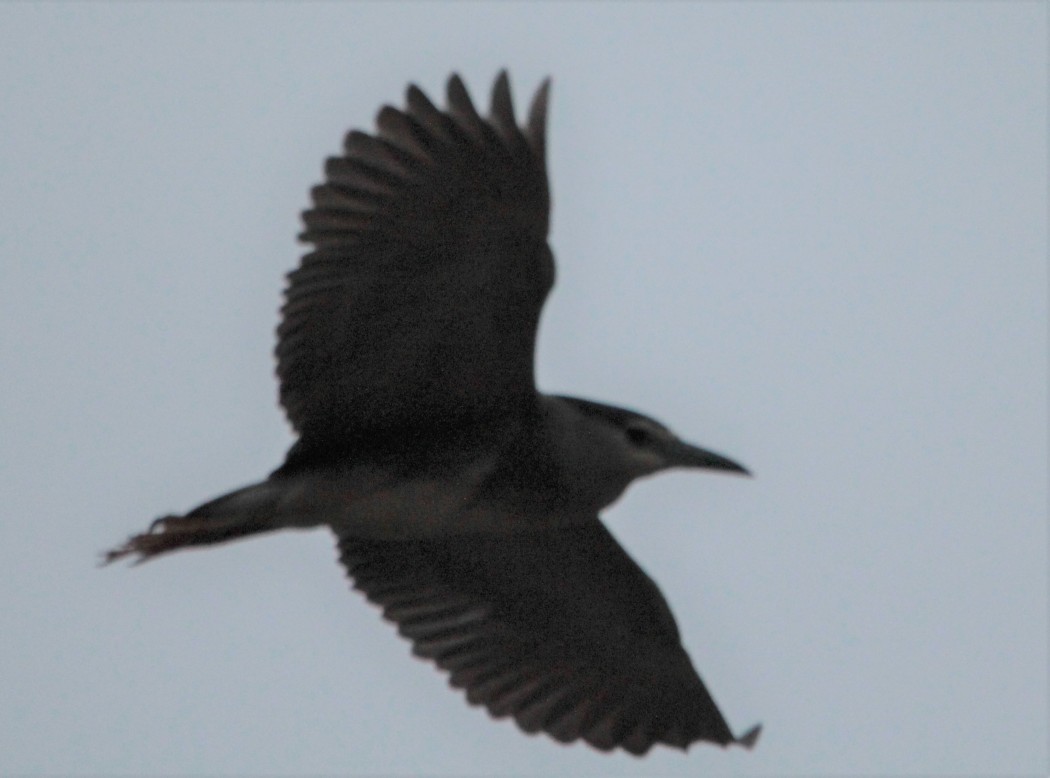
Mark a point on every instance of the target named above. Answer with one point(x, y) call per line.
point(245, 512)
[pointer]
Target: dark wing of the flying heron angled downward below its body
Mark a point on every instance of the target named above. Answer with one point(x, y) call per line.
point(560, 629)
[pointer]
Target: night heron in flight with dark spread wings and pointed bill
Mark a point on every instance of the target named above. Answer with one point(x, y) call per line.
point(466, 503)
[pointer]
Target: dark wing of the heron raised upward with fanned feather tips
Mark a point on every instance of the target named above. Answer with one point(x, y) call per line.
point(421, 301)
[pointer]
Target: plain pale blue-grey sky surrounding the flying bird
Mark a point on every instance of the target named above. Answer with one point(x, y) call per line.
point(812, 237)
